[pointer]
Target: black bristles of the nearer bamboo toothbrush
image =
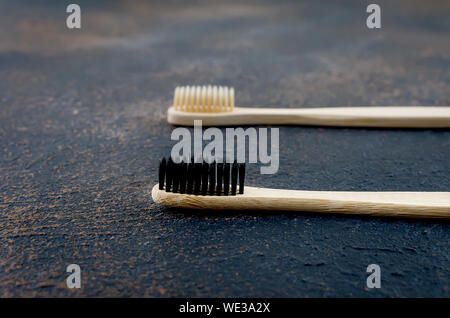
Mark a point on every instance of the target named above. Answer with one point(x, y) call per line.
point(201, 178)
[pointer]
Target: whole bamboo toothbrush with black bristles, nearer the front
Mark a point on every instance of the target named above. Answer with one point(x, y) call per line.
point(218, 187)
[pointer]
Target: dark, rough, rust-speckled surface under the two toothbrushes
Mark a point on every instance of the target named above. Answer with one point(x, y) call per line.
point(83, 125)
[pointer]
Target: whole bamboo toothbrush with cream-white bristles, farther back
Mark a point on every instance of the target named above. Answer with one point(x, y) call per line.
point(215, 107)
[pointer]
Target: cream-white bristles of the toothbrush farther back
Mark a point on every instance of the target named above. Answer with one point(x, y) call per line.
point(204, 99)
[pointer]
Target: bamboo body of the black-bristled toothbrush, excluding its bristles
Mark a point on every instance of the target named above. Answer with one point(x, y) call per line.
point(396, 204)
